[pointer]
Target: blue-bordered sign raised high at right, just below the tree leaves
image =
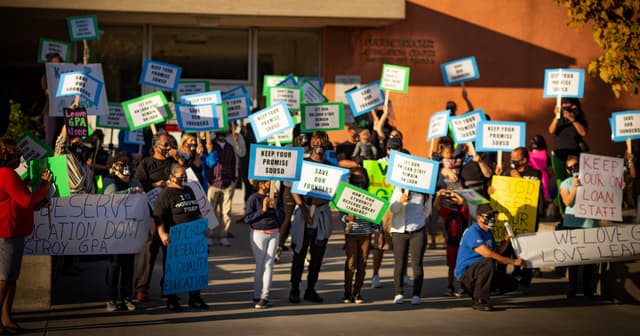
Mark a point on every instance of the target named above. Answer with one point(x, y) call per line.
point(568, 83)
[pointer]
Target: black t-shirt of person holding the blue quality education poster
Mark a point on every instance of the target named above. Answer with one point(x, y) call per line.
point(176, 206)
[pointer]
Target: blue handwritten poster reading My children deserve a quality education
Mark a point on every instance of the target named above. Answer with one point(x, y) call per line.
point(186, 268)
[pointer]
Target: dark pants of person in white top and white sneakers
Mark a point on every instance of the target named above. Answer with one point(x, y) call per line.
point(416, 242)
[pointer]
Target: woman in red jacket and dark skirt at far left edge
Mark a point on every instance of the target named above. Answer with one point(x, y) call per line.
point(17, 204)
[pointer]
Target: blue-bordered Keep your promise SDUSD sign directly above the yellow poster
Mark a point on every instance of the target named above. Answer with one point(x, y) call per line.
point(503, 136)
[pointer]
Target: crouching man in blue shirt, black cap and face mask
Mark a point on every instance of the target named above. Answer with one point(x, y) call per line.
point(478, 256)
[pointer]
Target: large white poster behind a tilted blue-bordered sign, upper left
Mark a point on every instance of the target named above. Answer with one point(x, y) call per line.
point(56, 104)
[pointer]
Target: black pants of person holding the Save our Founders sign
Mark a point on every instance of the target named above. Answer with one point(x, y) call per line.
point(316, 248)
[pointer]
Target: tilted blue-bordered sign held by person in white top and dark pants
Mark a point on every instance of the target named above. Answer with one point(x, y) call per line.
point(412, 172)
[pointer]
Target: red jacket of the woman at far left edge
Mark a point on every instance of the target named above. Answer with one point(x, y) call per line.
point(16, 205)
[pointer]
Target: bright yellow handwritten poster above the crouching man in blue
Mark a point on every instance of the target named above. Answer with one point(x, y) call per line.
point(516, 200)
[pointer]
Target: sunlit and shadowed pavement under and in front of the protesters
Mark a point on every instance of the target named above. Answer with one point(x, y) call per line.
point(79, 304)
